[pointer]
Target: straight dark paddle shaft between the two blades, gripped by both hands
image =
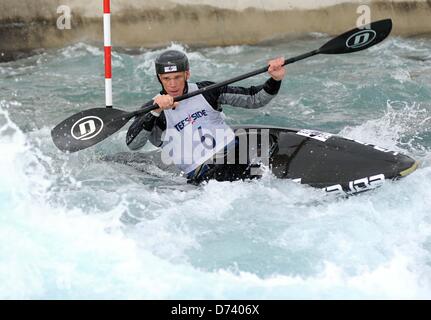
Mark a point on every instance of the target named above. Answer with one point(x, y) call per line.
point(226, 82)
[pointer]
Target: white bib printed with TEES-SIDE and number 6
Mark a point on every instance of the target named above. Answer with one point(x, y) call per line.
point(194, 133)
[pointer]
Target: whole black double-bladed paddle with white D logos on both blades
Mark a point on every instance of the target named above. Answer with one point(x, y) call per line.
point(88, 127)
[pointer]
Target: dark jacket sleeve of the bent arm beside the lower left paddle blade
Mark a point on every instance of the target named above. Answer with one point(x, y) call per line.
point(146, 127)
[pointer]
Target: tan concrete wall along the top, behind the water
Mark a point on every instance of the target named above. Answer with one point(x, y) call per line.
point(31, 24)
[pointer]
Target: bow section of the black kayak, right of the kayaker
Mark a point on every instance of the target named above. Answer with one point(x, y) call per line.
point(327, 161)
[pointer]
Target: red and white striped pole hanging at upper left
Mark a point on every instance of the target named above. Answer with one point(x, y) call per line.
point(107, 43)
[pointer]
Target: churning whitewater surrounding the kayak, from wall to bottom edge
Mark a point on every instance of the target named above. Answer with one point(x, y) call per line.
point(76, 226)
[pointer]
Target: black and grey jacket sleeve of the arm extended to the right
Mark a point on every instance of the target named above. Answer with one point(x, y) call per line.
point(251, 98)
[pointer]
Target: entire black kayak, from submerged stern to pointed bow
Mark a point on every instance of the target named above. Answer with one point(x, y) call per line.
point(319, 159)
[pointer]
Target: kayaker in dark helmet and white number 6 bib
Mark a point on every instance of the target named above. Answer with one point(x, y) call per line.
point(198, 122)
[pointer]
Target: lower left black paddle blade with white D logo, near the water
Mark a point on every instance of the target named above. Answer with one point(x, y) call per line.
point(88, 127)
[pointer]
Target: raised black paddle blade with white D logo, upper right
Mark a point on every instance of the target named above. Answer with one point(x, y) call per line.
point(358, 39)
